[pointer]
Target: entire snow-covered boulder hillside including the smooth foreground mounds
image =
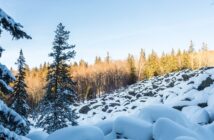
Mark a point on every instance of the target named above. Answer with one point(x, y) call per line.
point(177, 106)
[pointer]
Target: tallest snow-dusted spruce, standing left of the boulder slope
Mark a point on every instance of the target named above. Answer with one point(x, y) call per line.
point(60, 90)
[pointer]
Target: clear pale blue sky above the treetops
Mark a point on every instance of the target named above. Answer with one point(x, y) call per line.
point(117, 26)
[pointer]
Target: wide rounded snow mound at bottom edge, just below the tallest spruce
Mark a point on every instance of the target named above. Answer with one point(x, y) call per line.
point(77, 133)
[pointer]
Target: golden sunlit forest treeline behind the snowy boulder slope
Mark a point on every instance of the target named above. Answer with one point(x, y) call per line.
point(106, 75)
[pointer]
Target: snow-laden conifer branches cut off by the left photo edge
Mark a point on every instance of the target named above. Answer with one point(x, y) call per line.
point(9, 119)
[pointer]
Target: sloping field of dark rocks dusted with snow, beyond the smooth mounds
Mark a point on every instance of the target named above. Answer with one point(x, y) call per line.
point(187, 91)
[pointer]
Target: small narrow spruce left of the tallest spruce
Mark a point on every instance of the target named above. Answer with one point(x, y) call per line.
point(20, 96)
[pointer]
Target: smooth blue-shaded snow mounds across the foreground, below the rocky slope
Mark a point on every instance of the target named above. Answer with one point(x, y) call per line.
point(157, 122)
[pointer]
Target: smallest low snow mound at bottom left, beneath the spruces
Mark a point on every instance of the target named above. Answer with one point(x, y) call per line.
point(37, 135)
